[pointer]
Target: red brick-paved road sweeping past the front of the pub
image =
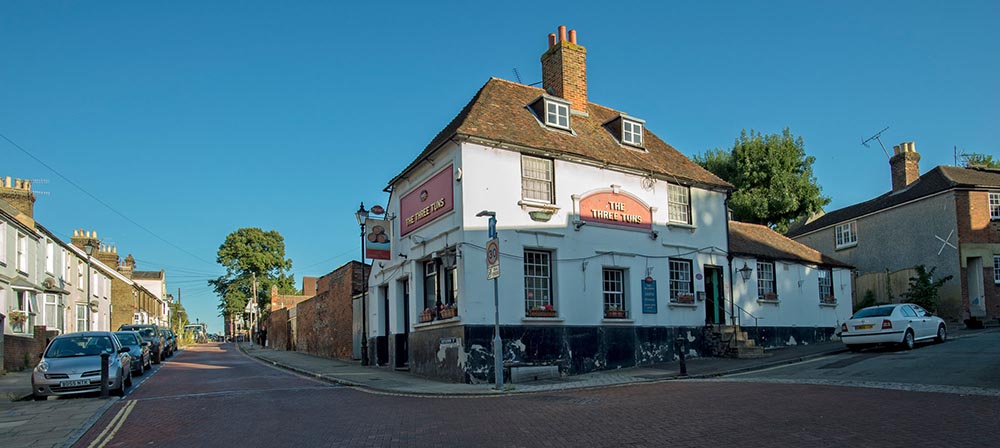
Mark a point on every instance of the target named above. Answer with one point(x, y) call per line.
point(209, 396)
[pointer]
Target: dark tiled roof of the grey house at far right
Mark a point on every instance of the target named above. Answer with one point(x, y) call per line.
point(939, 179)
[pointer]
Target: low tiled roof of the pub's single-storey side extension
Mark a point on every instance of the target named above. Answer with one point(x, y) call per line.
point(760, 241)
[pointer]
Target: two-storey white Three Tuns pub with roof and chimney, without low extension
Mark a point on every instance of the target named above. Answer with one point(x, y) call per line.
point(612, 243)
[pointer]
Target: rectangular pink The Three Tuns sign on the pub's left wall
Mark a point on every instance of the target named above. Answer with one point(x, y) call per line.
point(427, 202)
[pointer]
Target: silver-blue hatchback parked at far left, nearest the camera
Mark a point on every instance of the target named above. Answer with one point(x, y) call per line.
point(71, 364)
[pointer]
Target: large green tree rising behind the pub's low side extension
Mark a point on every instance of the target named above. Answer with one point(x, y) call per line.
point(772, 175)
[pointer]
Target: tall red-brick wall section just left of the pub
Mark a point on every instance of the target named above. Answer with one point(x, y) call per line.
point(325, 322)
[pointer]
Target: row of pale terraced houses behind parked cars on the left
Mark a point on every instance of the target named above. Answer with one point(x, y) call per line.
point(49, 286)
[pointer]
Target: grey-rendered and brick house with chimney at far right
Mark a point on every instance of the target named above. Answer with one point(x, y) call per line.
point(948, 218)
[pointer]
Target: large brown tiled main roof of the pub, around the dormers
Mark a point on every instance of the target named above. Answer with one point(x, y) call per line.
point(499, 113)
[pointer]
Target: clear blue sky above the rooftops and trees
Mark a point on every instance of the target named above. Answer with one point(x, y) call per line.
point(196, 118)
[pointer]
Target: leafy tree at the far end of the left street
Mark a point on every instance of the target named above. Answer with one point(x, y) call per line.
point(245, 253)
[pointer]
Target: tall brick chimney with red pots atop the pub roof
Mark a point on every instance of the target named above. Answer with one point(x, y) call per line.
point(564, 69)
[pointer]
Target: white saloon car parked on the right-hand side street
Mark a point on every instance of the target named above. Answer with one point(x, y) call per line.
point(900, 323)
